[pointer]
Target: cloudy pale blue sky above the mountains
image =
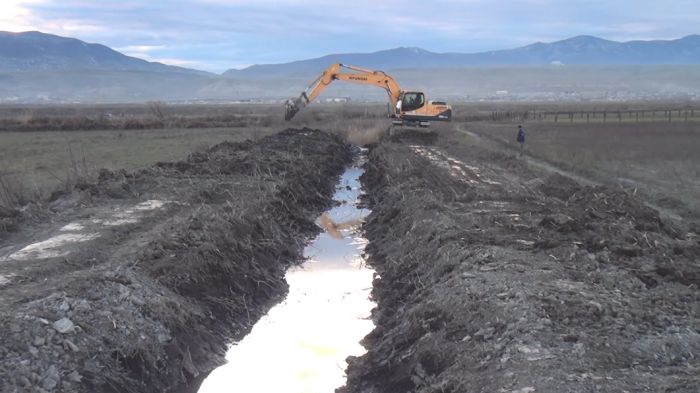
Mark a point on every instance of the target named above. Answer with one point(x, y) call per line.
point(216, 35)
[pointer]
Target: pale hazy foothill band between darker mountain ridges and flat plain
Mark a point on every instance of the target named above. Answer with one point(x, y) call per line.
point(448, 83)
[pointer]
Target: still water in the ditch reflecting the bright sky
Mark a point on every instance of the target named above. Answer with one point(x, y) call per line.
point(301, 344)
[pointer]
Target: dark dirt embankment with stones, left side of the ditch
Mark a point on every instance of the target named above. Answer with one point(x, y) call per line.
point(136, 282)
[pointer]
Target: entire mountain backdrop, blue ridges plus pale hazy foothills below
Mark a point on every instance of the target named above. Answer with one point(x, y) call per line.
point(38, 67)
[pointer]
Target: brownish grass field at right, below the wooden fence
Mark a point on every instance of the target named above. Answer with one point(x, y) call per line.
point(658, 160)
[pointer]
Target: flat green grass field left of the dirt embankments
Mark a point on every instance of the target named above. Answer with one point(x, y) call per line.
point(39, 161)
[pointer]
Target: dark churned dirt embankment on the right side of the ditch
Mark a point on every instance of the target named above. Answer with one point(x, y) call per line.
point(491, 280)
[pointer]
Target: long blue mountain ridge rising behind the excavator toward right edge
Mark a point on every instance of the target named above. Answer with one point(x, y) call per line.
point(581, 50)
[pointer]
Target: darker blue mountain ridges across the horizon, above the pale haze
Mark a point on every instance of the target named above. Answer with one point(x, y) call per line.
point(32, 51)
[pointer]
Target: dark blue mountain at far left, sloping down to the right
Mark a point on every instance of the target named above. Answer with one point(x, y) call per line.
point(33, 50)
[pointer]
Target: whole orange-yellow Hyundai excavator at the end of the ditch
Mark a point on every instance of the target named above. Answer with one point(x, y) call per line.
point(406, 108)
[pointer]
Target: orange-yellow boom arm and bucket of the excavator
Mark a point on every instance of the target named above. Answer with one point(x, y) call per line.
point(367, 77)
